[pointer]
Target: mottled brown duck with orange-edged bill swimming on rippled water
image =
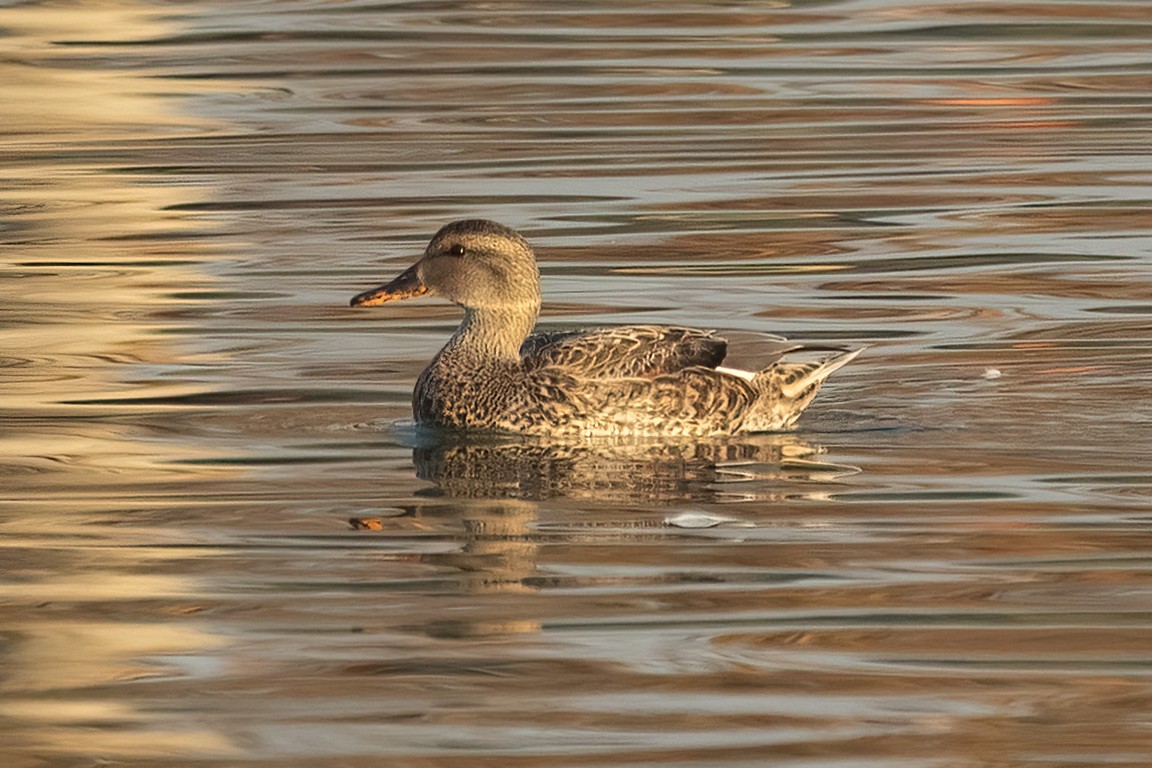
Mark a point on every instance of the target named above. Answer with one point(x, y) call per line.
point(499, 375)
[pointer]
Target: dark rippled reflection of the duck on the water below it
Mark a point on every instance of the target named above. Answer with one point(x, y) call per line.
point(489, 493)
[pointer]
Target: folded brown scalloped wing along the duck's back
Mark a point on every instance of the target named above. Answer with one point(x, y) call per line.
point(624, 352)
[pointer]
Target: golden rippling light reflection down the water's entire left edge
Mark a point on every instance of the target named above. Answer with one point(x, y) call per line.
point(90, 264)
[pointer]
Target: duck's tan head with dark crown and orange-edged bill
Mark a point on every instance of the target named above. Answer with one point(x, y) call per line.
point(476, 263)
